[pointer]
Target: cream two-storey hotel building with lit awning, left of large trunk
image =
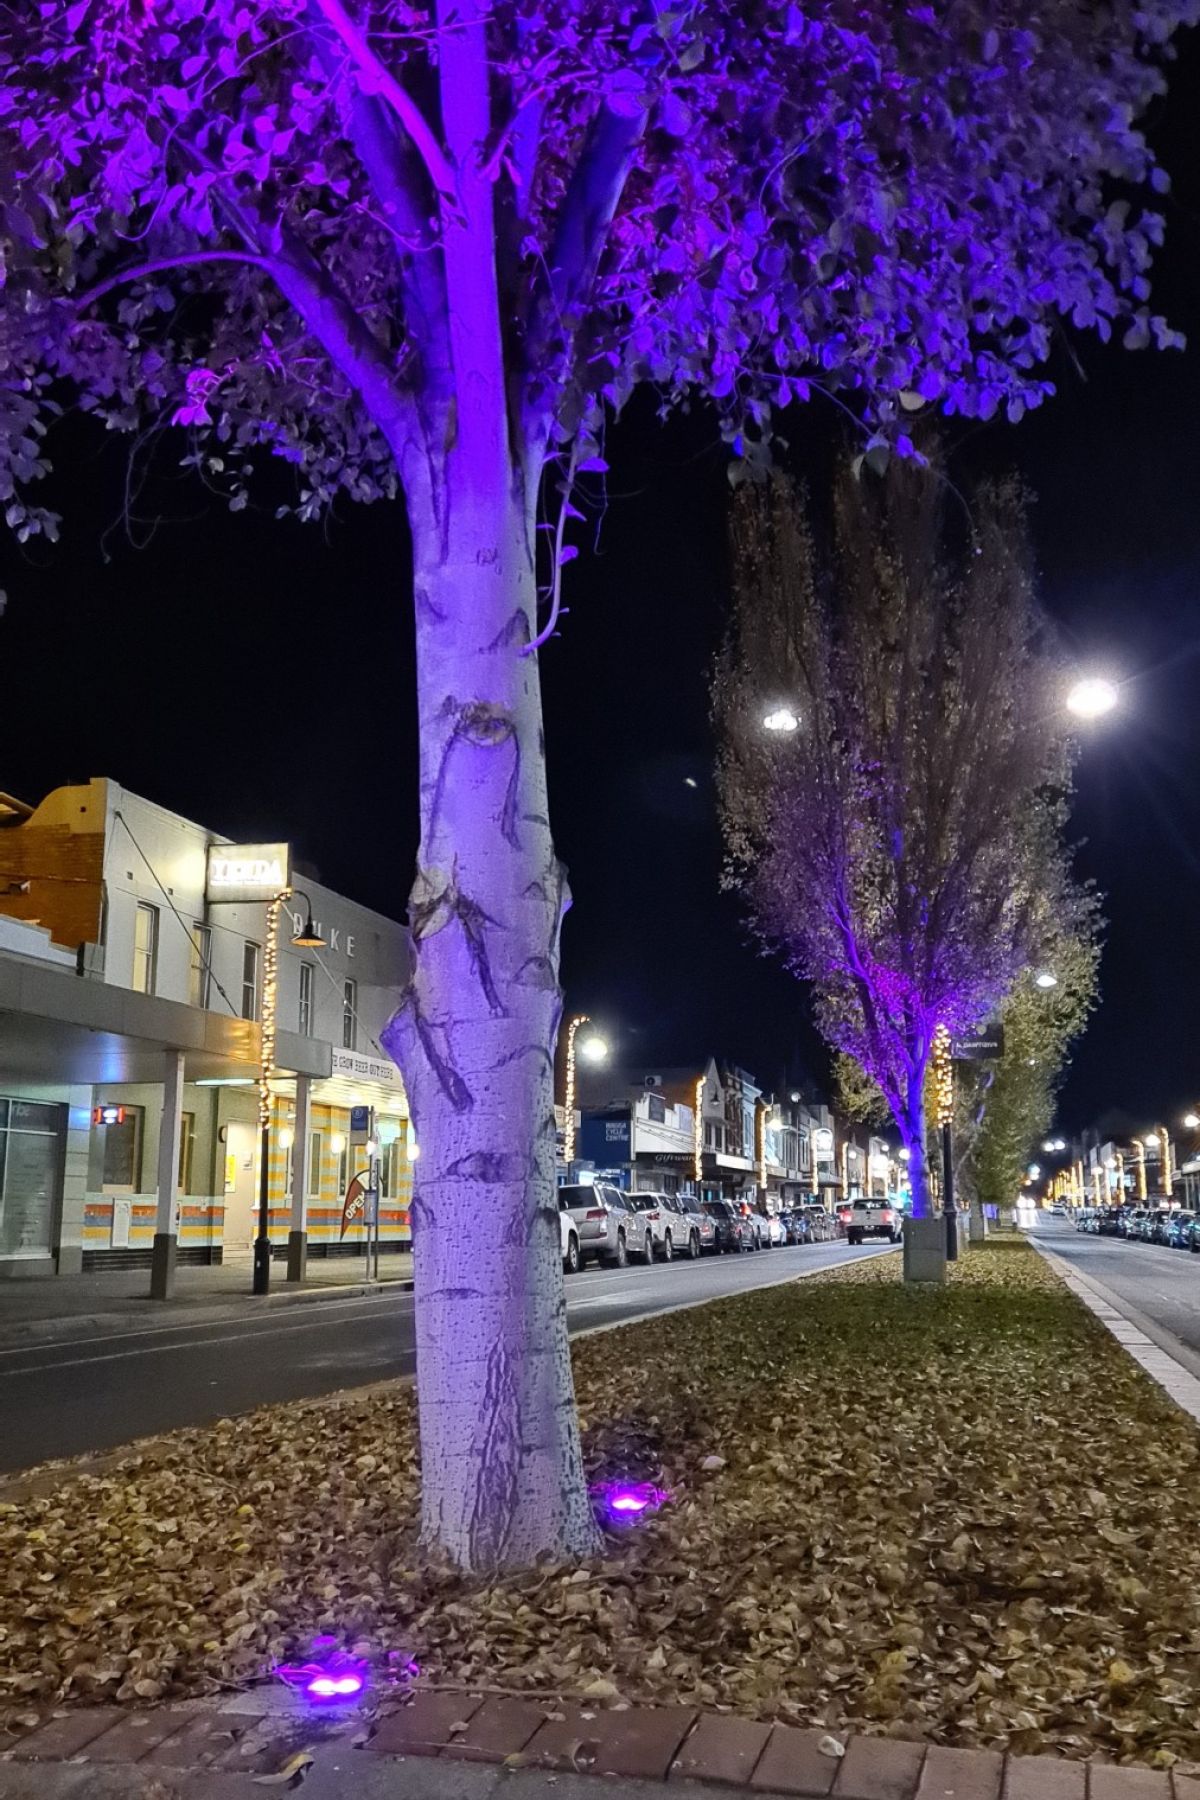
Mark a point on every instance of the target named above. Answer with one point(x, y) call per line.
point(136, 971)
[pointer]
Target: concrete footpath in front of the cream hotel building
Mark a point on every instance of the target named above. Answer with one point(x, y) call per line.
point(44, 1311)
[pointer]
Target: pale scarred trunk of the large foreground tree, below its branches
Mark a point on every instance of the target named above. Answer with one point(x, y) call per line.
point(503, 1473)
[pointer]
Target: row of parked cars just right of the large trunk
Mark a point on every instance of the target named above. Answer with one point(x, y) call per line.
point(602, 1223)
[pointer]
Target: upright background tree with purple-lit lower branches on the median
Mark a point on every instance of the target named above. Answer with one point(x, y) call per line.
point(890, 849)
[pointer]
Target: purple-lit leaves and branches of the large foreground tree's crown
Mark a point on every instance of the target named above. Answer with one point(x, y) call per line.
point(237, 215)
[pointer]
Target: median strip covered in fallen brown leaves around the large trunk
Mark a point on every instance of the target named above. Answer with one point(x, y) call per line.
point(956, 1515)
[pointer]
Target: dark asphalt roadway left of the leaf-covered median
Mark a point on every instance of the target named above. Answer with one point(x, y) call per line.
point(93, 1392)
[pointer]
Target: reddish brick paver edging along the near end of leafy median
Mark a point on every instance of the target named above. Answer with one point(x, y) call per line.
point(258, 1732)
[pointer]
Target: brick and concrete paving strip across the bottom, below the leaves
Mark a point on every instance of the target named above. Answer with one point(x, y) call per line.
point(451, 1745)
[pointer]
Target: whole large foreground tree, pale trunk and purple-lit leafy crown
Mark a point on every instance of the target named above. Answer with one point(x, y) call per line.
point(427, 247)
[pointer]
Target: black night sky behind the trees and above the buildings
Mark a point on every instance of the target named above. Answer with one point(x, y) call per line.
point(258, 678)
